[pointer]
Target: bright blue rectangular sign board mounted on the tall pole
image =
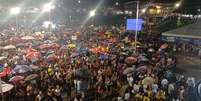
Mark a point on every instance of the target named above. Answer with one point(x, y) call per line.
point(131, 24)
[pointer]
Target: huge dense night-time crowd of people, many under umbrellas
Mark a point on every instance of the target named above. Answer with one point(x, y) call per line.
point(96, 64)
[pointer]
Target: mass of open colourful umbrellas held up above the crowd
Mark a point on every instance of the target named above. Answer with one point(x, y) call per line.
point(20, 55)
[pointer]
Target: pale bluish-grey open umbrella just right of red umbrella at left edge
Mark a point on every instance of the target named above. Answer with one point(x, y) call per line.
point(21, 69)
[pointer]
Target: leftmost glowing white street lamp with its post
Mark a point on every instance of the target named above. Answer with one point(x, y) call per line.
point(15, 11)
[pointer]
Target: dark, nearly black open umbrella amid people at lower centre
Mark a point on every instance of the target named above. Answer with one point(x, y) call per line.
point(83, 72)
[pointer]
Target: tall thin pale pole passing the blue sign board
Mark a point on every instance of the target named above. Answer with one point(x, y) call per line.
point(136, 31)
